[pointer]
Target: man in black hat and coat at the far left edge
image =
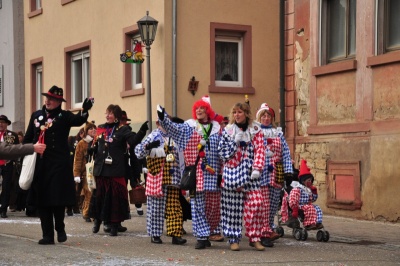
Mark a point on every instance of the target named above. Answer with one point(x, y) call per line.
point(6, 166)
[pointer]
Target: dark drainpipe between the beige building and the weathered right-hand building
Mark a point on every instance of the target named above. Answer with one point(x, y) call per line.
point(282, 117)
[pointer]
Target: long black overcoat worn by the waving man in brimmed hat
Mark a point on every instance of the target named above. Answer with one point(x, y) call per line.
point(53, 183)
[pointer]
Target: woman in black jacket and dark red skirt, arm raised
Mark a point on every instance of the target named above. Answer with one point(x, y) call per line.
point(110, 203)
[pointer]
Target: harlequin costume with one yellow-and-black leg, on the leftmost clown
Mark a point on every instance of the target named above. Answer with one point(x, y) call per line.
point(162, 186)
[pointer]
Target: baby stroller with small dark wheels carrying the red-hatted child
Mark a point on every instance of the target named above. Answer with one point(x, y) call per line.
point(299, 231)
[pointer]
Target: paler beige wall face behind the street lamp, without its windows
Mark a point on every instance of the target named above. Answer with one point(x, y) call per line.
point(101, 23)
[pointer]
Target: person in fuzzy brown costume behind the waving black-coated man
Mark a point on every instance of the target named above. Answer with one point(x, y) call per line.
point(80, 159)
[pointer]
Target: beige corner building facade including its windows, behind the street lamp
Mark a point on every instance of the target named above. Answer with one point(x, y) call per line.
point(228, 47)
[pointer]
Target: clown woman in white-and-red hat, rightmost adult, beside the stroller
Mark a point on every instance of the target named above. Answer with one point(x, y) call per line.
point(277, 163)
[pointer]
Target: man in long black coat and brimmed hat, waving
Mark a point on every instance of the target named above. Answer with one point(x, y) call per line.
point(53, 185)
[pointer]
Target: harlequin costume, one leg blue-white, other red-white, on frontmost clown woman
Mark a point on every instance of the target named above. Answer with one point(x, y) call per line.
point(241, 195)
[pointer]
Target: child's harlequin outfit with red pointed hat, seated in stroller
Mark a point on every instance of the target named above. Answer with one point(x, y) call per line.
point(302, 197)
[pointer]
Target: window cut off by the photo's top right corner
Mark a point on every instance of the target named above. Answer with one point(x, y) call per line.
point(388, 21)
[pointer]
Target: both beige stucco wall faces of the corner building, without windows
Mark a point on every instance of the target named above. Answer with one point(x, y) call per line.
point(102, 23)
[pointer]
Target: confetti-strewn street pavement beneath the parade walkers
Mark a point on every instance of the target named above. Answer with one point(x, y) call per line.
point(352, 242)
